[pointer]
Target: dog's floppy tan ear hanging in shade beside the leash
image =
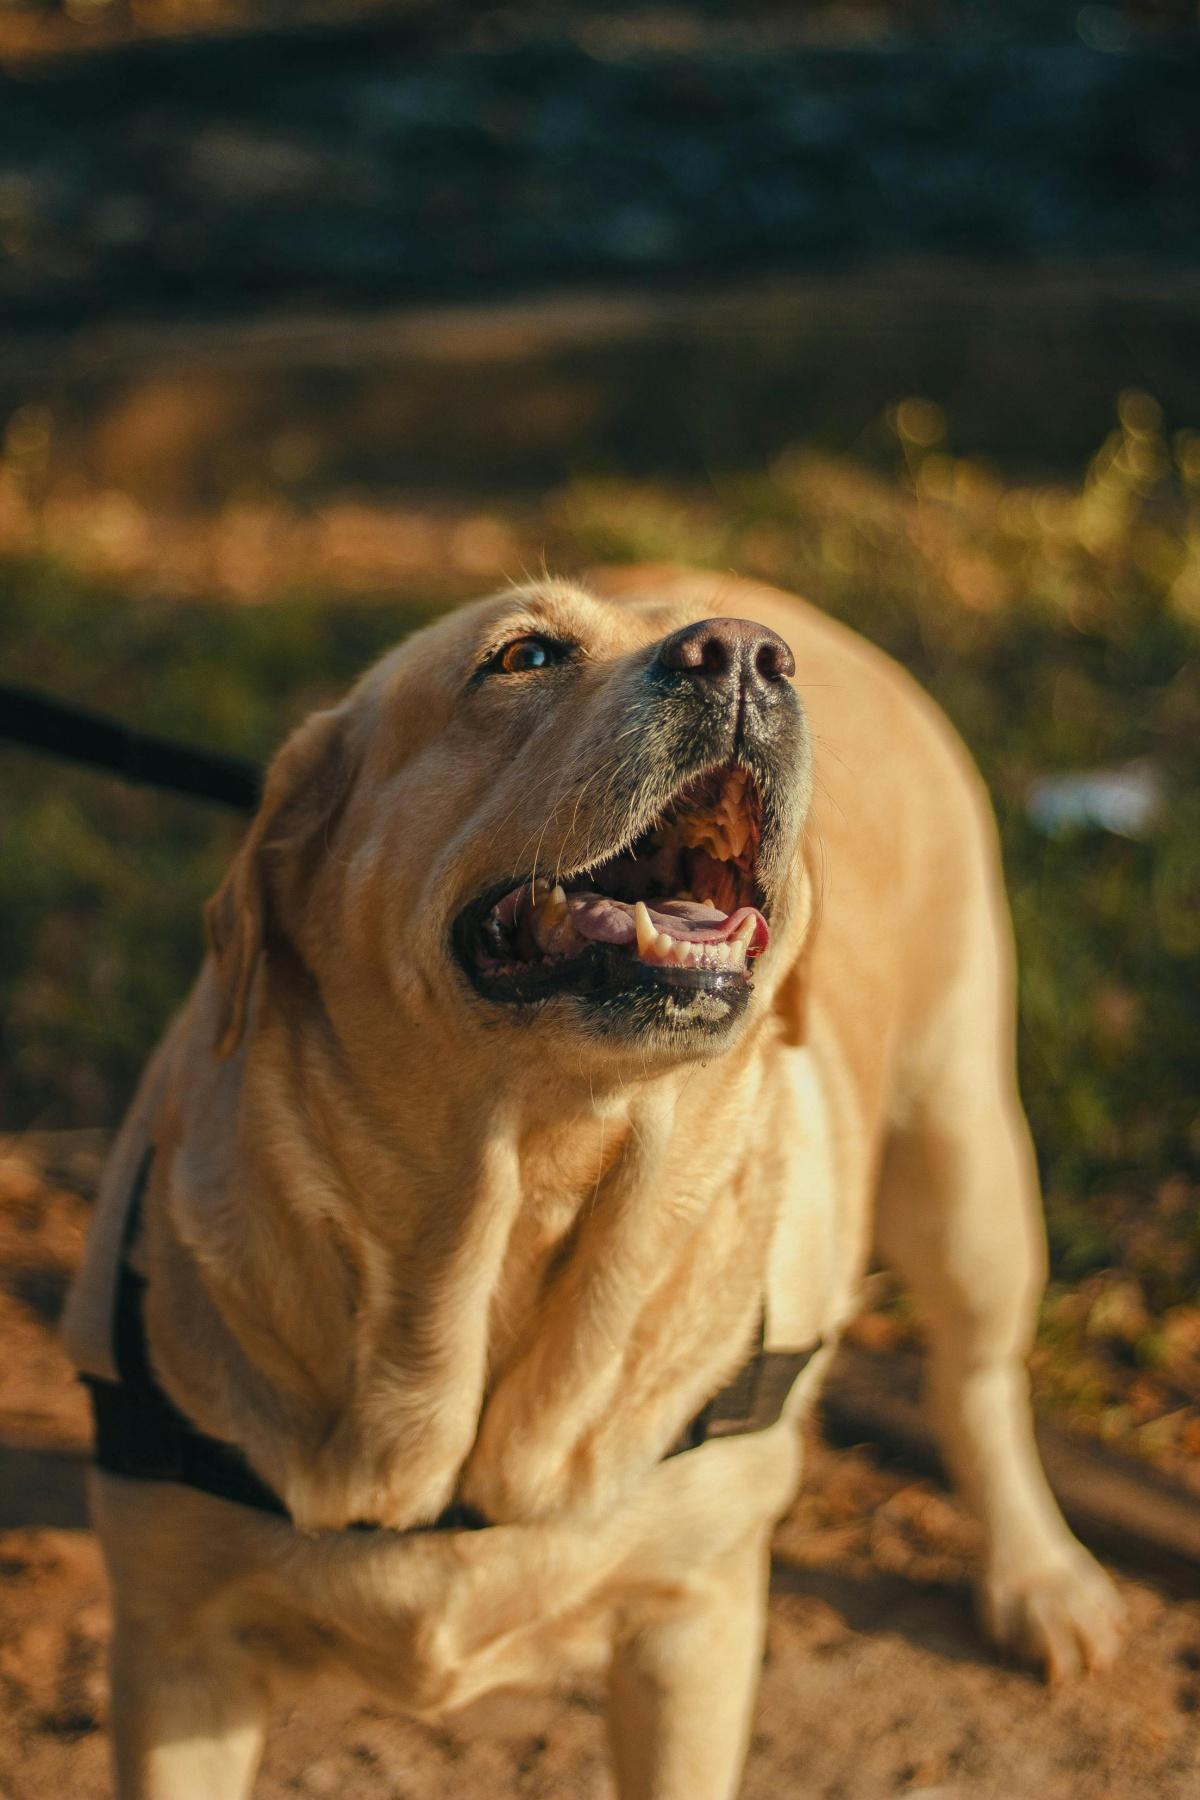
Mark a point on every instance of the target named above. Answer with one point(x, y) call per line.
point(305, 787)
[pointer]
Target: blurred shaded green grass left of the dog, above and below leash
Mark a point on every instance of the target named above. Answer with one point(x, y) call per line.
point(102, 885)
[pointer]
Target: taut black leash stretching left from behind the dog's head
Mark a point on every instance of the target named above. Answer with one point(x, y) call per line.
point(78, 735)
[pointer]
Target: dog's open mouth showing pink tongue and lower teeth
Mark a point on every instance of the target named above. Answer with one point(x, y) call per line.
point(681, 906)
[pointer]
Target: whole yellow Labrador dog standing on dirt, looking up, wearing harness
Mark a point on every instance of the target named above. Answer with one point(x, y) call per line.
point(595, 985)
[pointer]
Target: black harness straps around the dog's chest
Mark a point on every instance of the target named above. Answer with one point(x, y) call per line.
point(143, 1435)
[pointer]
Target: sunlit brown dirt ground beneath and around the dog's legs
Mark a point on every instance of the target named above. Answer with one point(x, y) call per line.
point(877, 1682)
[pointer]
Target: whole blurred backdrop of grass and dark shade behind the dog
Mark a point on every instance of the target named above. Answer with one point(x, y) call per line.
point(321, 318)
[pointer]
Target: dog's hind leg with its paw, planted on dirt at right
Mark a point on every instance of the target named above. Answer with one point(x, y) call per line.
point(960, 1218)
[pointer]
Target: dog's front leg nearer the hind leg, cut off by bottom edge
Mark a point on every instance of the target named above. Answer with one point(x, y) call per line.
point(683, 1686)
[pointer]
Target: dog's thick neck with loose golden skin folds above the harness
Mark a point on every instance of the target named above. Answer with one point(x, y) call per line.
point(494, 1288)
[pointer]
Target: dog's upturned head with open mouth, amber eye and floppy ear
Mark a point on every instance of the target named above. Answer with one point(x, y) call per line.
point(548, 814)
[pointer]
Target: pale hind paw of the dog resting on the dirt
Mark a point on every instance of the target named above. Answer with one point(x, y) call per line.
point(1064, 1615)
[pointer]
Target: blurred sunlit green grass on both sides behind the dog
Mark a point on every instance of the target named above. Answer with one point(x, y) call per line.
point(1057, 624)
